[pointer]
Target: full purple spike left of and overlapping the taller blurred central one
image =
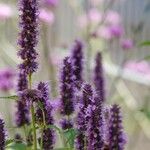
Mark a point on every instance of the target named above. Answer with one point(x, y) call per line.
point(67, 91)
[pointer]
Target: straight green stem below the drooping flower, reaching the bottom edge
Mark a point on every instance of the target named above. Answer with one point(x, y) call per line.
point(34, 127)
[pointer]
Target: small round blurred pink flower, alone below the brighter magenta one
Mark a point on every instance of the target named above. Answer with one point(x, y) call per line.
point(127, 44)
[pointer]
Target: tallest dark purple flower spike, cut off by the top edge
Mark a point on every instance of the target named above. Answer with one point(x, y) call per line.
point(28, 35)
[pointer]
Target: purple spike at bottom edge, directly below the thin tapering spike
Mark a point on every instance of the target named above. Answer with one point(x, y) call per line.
point(95, 134)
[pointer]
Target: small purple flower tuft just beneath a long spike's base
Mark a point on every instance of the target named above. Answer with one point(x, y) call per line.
point(66, 124)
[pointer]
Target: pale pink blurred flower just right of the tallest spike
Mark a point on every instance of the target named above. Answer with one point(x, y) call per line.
point(46, 16)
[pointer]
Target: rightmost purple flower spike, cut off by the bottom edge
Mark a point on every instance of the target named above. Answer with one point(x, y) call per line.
point(116, 134)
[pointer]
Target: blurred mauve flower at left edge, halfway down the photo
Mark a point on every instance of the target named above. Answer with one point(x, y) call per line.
point(6, 79)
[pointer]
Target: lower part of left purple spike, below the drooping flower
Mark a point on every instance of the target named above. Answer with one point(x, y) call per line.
point(22, 114)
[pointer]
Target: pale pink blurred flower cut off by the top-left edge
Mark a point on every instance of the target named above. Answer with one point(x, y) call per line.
point(5, 11)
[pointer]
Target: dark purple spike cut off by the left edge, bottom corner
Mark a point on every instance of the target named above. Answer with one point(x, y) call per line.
point(2, 135)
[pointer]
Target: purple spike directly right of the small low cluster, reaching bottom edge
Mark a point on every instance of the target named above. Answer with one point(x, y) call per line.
point(83, 117)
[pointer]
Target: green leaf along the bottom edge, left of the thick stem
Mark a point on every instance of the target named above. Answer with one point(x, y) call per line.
point(16, 146)
